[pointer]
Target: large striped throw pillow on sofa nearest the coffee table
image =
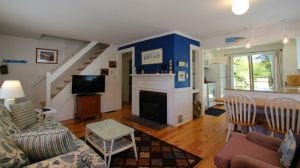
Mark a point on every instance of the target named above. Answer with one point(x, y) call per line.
point(46, 144)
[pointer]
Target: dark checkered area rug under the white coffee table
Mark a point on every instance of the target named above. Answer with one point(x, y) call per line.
point(153, 152)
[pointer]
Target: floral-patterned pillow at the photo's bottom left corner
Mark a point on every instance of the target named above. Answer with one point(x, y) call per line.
point(11, 154)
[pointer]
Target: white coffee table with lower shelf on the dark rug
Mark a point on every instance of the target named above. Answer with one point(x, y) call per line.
point(110, 137)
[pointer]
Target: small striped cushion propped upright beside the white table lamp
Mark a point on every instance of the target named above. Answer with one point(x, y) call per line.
point(23, 114)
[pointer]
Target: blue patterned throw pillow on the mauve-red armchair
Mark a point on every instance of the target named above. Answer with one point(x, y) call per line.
point(287, 149)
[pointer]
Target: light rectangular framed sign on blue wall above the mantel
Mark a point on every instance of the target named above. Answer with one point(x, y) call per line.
point(152, 57)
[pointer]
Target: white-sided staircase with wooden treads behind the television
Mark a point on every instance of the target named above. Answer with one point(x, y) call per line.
point(88, 61)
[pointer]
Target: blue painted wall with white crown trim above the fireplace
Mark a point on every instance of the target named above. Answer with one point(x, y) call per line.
point(175, 47)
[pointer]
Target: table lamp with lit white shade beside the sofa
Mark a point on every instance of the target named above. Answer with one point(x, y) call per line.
point(10, 90)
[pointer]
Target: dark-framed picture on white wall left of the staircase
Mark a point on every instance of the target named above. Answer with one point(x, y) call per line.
point(46, 56)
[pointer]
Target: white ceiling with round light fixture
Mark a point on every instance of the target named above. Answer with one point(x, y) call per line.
point(122, 21)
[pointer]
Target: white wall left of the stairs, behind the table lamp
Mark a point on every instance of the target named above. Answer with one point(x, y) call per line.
point(32, 74)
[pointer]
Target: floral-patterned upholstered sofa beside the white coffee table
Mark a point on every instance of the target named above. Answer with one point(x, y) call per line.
point(13, 155)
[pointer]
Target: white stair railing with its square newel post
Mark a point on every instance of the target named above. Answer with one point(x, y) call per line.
point(50, 77)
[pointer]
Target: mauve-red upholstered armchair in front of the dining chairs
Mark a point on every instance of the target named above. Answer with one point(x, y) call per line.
point(254, 150)
